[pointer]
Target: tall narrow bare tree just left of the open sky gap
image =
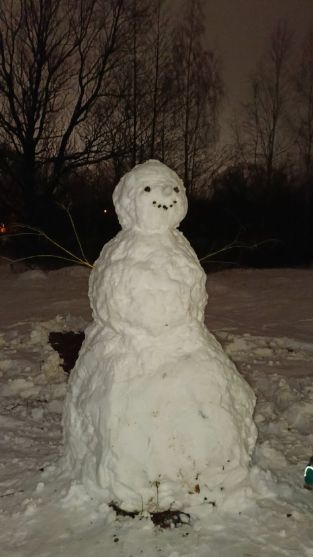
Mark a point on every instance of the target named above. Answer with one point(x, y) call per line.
point(199, 91)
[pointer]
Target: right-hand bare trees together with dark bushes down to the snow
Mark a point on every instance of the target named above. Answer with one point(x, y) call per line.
point(266, 190)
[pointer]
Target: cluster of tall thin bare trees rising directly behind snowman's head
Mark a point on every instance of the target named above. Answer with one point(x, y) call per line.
point(168, 90)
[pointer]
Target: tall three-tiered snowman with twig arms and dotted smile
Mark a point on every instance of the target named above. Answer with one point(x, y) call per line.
point(156, 415)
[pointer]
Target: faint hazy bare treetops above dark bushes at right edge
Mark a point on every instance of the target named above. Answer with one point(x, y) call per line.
point(274, 130)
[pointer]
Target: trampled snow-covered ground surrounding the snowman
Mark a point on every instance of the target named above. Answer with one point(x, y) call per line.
point(264, 319)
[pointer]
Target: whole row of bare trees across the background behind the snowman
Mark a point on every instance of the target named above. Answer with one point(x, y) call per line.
point(88, 88)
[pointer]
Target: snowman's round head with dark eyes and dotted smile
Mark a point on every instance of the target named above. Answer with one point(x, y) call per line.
point(150, 197)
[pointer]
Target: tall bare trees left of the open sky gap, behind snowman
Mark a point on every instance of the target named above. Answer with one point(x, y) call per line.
point(101, 82)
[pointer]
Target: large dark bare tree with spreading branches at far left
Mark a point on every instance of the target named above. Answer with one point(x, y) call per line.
point(56, 58)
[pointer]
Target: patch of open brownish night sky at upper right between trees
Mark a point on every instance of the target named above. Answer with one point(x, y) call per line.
point(240, 30)
